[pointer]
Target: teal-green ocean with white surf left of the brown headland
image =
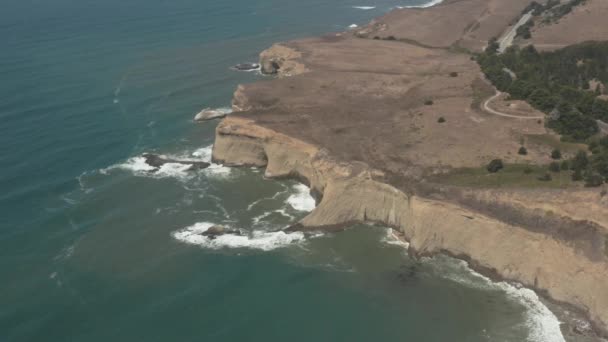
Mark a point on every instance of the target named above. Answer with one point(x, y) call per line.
point(96, 247)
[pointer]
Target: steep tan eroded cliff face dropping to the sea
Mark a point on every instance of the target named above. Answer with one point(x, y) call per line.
point(353, 192)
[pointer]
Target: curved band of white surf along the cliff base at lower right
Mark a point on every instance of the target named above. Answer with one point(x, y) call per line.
point(542, 324)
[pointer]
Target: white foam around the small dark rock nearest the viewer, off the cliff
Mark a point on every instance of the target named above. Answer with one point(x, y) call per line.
point(261, 240)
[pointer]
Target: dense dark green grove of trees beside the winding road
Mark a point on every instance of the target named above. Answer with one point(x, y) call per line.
point(557, 83)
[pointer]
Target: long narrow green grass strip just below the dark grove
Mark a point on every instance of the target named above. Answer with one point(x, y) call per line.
point(512, 176)
